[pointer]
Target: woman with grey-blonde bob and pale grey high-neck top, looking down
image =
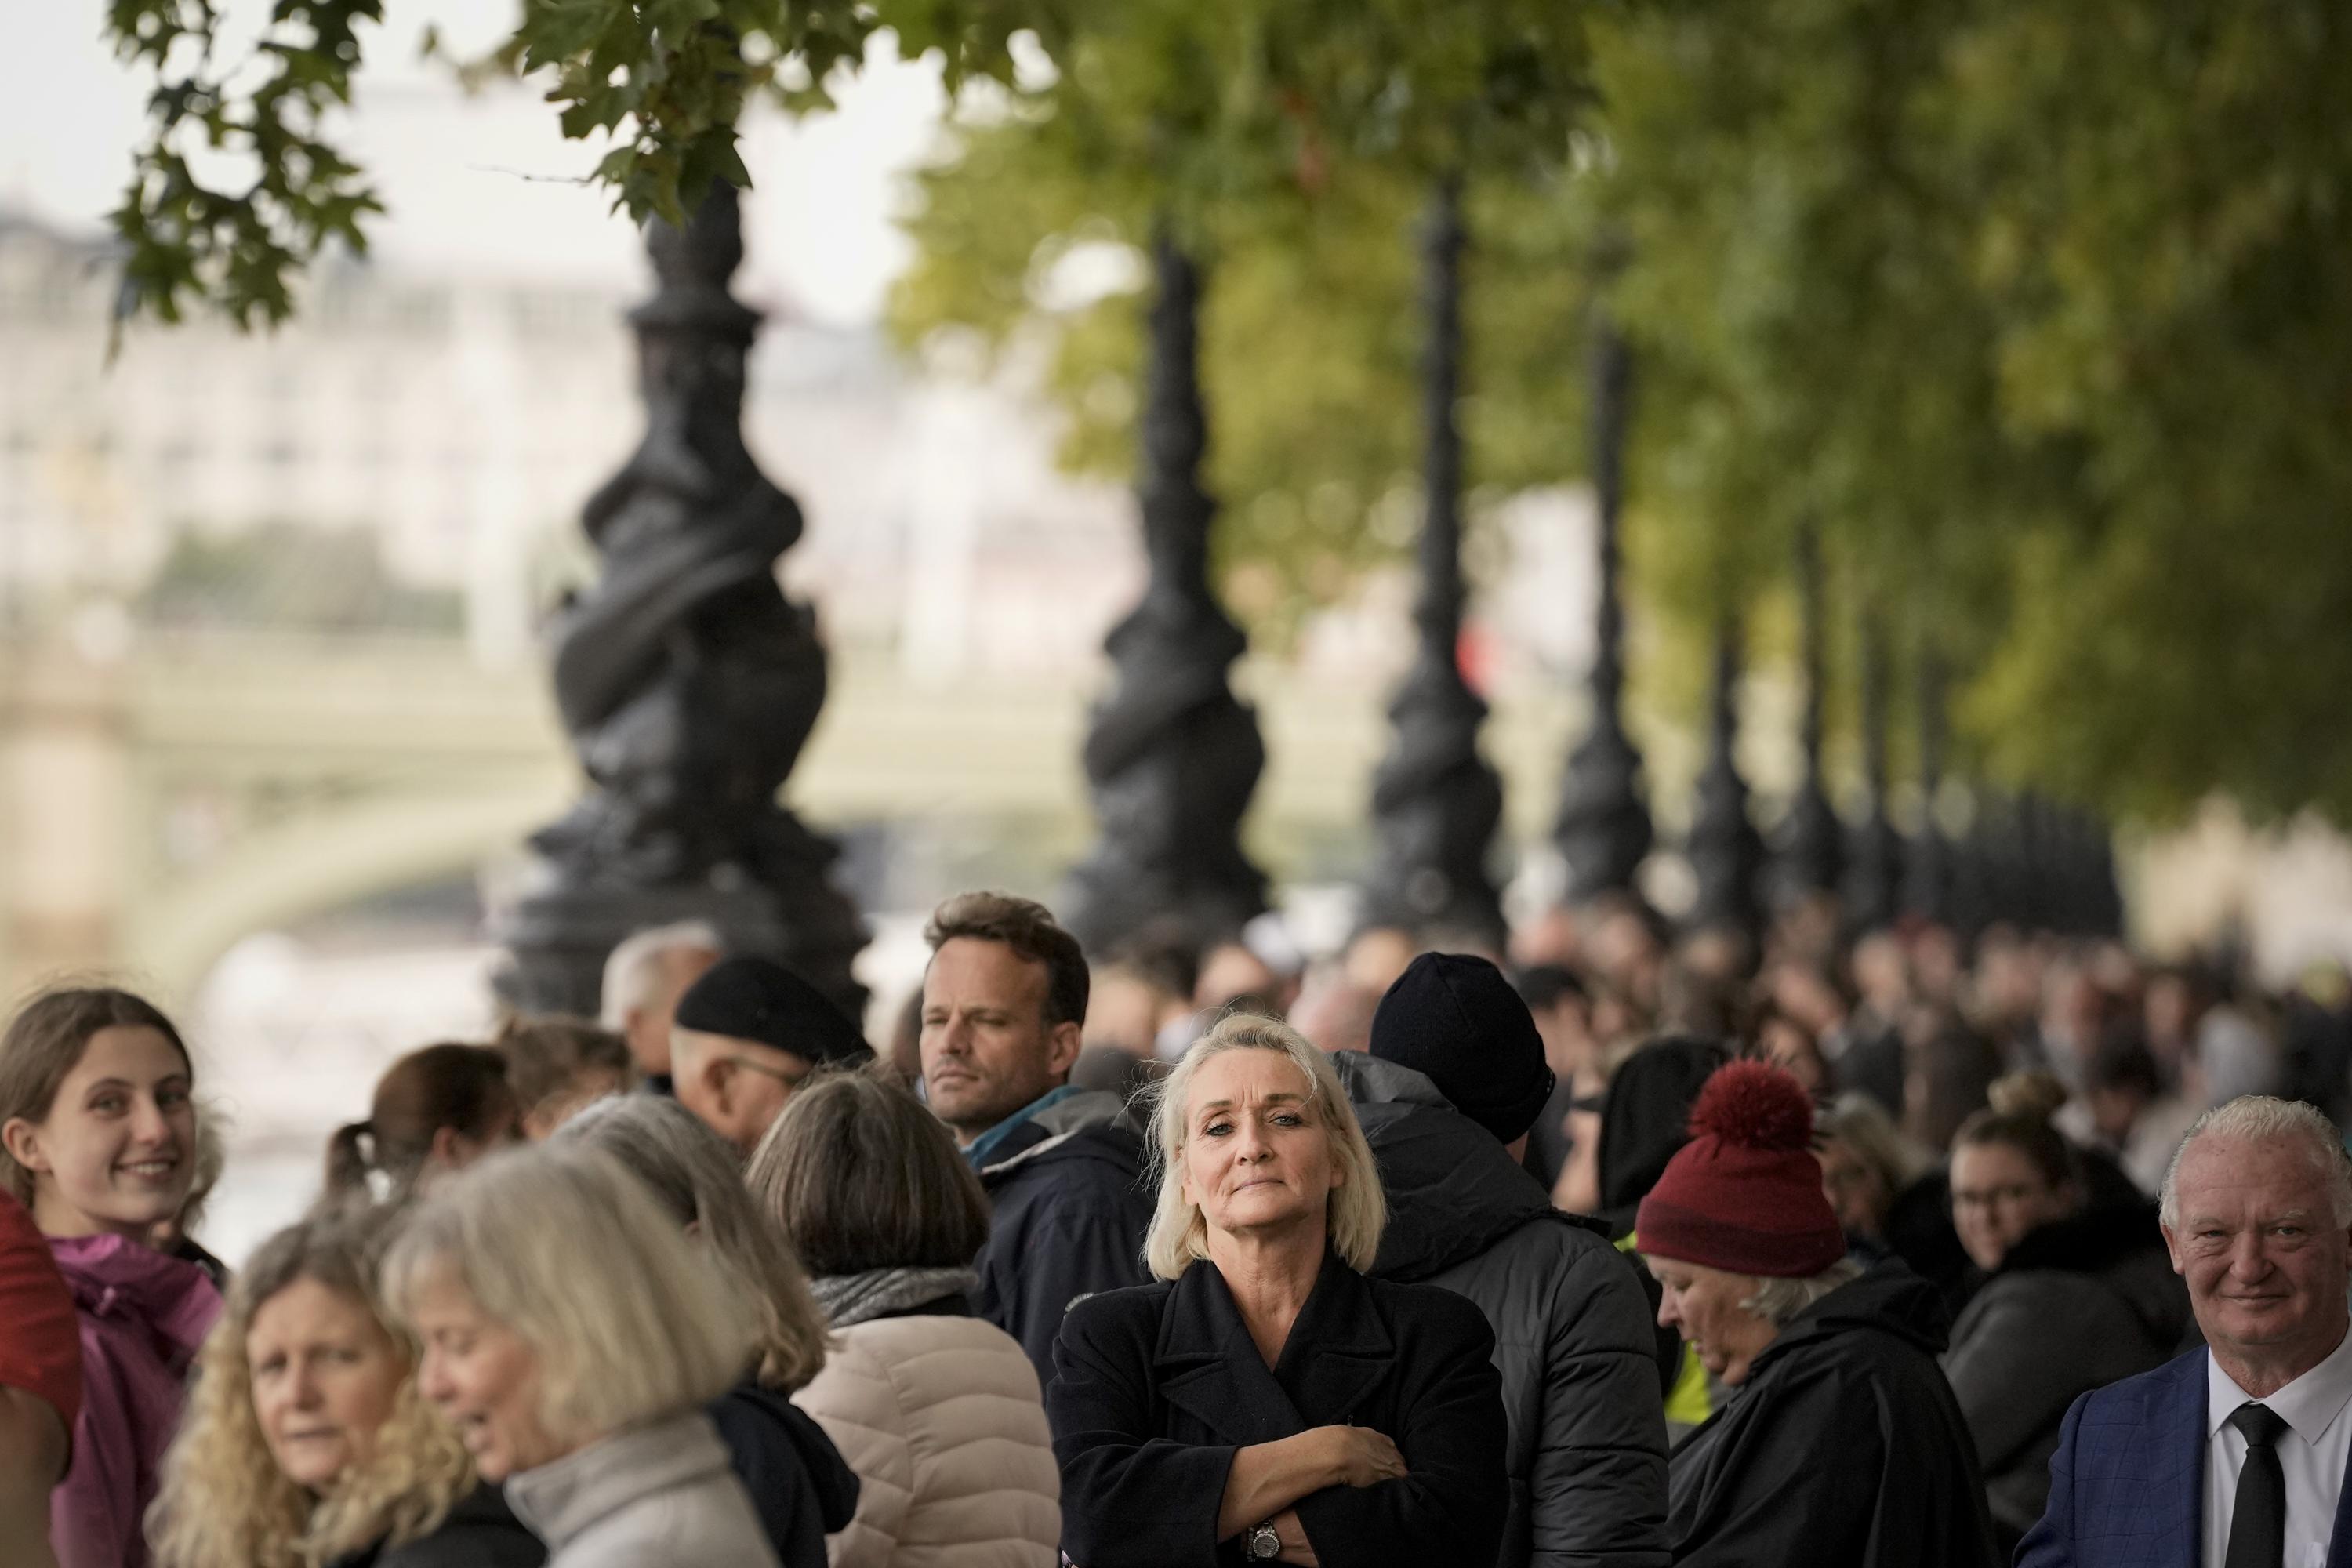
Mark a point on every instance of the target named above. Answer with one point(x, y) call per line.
point(573, 1339)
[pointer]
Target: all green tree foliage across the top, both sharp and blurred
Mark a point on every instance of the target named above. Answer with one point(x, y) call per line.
point(2038, 309)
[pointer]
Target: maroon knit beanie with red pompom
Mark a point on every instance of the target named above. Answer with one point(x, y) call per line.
point(1746, 1195)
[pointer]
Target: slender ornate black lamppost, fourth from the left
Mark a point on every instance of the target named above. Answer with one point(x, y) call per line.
point(1603, 826)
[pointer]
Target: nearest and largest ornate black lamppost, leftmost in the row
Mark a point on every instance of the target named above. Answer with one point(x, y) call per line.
point(686, 678)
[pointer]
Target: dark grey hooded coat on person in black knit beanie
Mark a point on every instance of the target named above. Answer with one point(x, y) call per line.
point(1570, 1318)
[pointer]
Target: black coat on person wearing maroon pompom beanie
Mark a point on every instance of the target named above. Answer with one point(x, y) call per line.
point(1843, 1449)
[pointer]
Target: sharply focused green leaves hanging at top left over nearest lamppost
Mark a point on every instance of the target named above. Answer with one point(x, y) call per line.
point(239, 182)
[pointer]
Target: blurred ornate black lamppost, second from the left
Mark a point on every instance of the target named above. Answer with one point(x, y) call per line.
point(1172, 758)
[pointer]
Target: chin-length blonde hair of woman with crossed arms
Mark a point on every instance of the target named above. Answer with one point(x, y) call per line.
point(1356, 1214)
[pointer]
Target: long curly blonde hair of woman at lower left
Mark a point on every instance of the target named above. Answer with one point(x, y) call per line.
point(227, 1506)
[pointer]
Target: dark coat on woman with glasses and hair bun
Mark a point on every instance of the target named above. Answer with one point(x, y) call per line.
point(2073, 1308)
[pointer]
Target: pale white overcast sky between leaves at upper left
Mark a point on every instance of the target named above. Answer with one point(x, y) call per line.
point(453, 168)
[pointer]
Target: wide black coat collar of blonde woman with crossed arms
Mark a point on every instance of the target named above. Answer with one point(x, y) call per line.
point(1210, 1367)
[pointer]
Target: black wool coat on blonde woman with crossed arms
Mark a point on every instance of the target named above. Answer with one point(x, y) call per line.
point(1158, 1386)
